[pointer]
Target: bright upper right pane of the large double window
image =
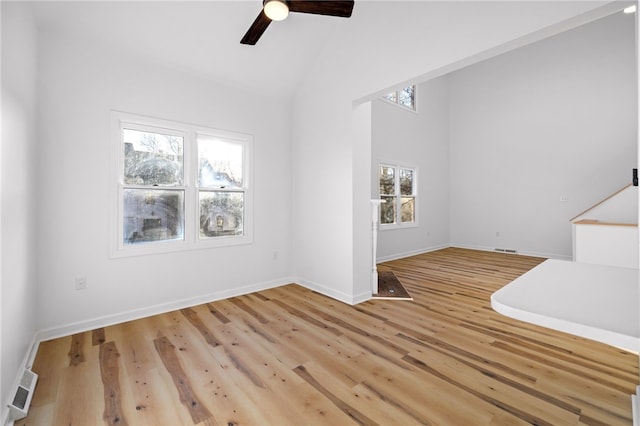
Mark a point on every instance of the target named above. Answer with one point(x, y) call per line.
point(219, 163)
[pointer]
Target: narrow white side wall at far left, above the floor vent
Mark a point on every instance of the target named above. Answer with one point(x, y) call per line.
point(18, 183)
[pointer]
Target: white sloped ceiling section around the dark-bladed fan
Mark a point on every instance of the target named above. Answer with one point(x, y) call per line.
point(202, 37)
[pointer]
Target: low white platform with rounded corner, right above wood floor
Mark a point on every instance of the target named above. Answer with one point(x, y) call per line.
point(594, 301)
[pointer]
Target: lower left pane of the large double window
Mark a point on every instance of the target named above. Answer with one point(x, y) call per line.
point(153, 215)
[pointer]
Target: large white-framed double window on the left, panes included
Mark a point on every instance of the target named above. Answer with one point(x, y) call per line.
point(178, 186)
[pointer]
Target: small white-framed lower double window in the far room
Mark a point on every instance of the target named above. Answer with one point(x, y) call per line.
point(398, 188)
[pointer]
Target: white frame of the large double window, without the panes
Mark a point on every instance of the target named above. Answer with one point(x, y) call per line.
point(191, 212)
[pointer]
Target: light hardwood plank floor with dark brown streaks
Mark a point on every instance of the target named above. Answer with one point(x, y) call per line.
point(289, 356)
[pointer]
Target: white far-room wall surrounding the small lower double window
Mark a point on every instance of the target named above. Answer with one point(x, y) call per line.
point(417, 139)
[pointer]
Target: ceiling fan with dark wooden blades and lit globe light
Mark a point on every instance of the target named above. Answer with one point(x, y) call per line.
point(277, 10)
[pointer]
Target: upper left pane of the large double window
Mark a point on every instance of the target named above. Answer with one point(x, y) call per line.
point(152, 158)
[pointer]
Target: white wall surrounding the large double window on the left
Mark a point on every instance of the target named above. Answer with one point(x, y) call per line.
point(81, 81)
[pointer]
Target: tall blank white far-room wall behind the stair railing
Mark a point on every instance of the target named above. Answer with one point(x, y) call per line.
point(554, 118)
